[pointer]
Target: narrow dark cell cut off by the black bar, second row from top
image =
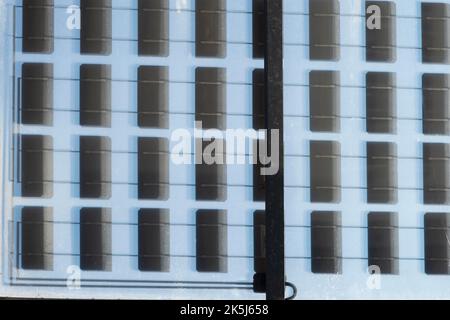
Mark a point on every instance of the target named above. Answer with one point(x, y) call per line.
point(259, 100)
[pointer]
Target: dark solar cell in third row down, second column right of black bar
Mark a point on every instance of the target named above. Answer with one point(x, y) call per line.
point(382, 182)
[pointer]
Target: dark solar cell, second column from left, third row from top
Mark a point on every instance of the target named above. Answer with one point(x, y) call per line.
point(95, 167)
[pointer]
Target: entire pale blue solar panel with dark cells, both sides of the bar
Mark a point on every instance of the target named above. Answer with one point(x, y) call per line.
point(366, 142)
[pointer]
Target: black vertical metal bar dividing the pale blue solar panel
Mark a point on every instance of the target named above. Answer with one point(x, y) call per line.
point(275, 278)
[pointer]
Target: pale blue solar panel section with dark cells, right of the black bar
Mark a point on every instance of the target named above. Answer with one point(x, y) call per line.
point(366, 148)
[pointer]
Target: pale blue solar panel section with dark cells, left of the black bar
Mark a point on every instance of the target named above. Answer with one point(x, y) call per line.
point(94, 186)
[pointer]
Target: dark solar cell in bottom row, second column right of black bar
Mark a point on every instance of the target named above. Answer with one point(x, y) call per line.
point(383, 241)
